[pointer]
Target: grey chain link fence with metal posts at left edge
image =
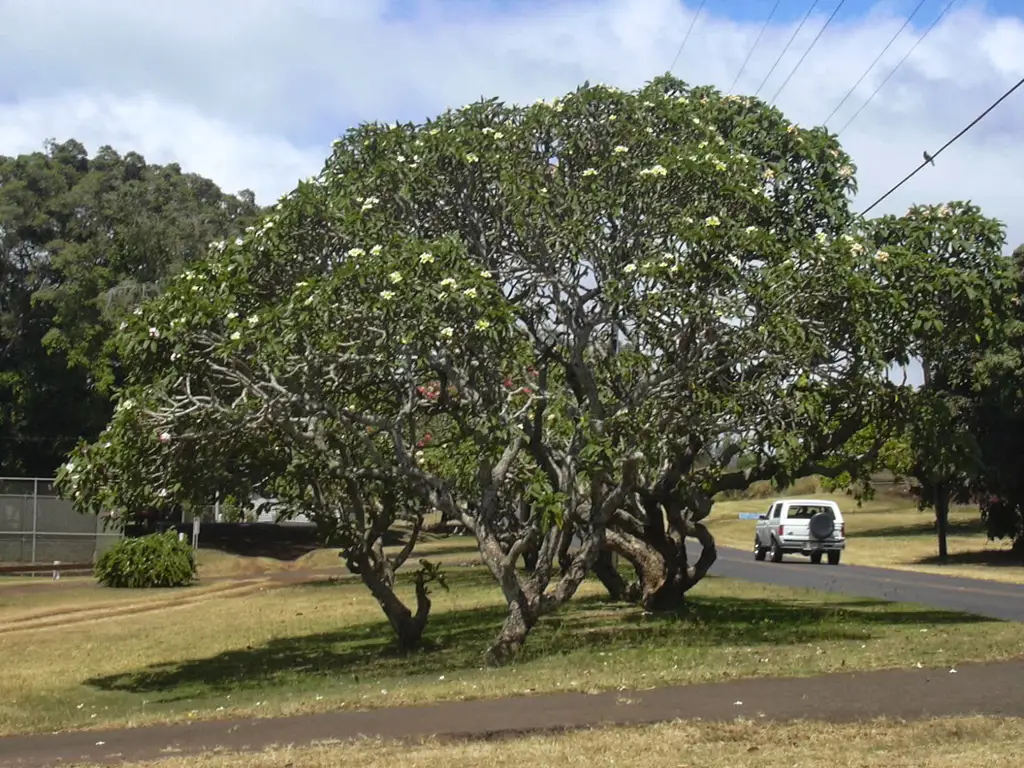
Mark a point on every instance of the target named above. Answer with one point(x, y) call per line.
point(36, 527)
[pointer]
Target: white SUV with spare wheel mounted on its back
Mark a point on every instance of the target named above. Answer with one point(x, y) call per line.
point(805, 527)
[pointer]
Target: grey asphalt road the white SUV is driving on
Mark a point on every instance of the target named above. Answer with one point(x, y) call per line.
point(992, 600)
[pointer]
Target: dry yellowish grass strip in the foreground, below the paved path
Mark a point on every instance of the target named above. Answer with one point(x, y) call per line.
point(936, 744)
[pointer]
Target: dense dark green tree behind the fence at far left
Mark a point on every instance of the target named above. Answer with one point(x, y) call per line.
point(82, 241)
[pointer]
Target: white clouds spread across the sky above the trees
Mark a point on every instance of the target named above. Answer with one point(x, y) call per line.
point(250, 93)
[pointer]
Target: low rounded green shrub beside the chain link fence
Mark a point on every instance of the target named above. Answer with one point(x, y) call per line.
point(149, 562)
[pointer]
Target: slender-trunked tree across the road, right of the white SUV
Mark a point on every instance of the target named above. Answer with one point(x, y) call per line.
point(956, 307)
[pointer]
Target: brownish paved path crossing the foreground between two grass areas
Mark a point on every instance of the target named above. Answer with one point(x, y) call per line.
point(996, 690)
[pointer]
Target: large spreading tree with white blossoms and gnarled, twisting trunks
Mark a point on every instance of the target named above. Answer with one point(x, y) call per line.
point(560, 324)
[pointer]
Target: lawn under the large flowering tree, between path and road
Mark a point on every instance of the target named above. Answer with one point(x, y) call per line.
point(325, 647)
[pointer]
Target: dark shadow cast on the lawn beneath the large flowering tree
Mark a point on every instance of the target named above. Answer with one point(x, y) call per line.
point(458, 638)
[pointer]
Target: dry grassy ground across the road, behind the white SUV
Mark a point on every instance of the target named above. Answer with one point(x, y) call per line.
point(889, 532)
